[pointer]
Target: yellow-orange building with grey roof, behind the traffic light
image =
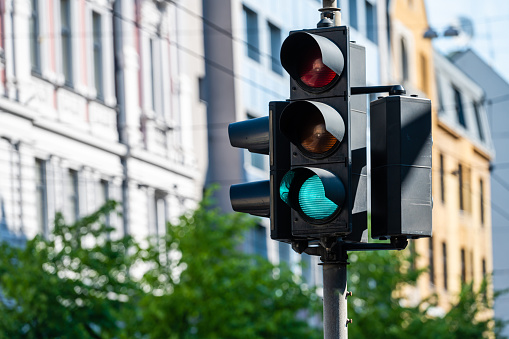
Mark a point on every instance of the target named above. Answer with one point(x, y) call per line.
point(460, 248)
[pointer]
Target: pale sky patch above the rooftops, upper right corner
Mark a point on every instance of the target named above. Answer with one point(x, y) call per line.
point(490, 23)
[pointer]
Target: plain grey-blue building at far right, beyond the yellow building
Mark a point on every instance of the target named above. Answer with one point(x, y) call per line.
point(496, 97)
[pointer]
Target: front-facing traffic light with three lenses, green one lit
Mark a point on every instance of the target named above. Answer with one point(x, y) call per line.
point(319, 123)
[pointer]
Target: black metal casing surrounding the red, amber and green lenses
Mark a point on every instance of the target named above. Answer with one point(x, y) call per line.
point(350, 156)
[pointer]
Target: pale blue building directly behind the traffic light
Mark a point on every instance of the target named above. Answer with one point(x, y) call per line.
point(242, 45)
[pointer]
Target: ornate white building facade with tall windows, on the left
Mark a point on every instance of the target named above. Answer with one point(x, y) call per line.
point(98, 101)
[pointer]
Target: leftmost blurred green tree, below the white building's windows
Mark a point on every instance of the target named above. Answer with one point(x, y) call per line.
point(66, 286)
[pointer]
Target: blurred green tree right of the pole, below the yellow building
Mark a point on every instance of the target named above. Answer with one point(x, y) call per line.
point(379, 310)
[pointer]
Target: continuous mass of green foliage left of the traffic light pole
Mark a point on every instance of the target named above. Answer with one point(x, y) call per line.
point(194, 282)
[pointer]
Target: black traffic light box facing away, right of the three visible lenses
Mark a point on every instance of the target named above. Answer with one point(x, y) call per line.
point(401, 202)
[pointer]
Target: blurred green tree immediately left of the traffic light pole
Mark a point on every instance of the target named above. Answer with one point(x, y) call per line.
point(222, 292)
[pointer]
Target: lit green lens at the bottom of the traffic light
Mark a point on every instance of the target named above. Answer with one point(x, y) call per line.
point(313, 201)
